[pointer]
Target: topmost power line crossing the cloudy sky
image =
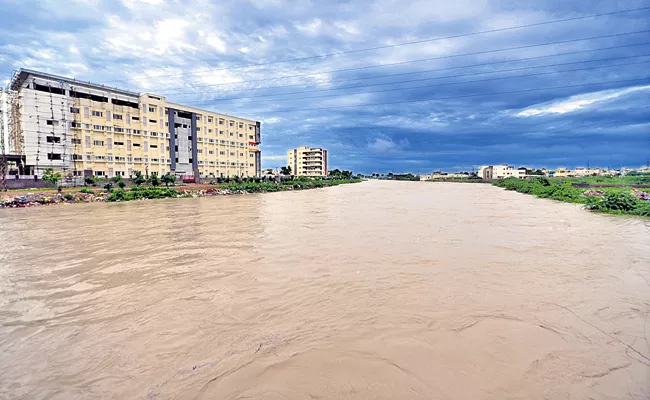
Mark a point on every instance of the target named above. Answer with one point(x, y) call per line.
point(407, 43)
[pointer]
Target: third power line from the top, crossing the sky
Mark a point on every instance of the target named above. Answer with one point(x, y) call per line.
point(424, 71)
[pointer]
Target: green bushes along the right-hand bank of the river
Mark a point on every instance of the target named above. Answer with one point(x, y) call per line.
point(610, 200)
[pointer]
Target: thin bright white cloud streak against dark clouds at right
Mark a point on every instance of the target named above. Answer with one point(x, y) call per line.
point(578, 102)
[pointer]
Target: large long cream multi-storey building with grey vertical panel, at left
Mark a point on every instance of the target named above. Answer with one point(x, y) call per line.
point(85, 129)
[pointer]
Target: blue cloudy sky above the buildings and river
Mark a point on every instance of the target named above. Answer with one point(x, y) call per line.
point(384, 85)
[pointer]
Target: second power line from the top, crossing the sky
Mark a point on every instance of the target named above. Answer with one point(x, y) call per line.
point(423, 60)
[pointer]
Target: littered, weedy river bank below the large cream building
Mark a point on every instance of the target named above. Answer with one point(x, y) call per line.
point(22, 199)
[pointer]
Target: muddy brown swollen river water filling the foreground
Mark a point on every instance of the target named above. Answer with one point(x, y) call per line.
point(377, 290)
